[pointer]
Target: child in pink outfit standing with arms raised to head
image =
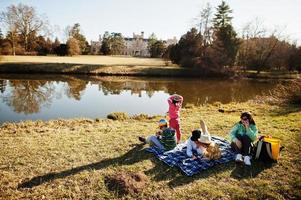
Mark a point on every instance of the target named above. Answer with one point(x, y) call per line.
point(175, 104)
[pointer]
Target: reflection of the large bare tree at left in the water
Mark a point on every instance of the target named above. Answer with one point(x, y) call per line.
point(29, 96)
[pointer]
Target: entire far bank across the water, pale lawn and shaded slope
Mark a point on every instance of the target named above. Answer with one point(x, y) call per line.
point(117, 66)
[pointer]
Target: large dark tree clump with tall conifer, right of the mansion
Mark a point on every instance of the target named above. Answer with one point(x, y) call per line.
point(214, 46)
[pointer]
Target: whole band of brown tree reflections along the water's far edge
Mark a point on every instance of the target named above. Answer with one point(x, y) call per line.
point(30, 95)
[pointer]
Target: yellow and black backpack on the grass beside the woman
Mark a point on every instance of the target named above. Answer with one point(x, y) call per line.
point(267, 149)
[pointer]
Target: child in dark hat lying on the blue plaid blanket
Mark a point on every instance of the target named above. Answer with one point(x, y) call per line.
point(201, 143)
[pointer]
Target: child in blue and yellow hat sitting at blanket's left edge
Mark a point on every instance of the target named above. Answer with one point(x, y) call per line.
point(164, 139)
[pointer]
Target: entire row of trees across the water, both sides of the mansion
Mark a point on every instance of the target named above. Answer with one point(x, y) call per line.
point(213, 46)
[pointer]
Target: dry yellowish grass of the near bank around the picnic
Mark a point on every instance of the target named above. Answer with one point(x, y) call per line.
point(74, 158)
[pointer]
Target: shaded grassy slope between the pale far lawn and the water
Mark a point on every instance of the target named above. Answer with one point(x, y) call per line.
point(130, 70)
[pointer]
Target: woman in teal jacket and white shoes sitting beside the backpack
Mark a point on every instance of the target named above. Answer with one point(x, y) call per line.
point(242, 135)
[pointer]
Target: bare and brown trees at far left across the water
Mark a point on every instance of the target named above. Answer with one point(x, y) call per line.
point(26, 35)
